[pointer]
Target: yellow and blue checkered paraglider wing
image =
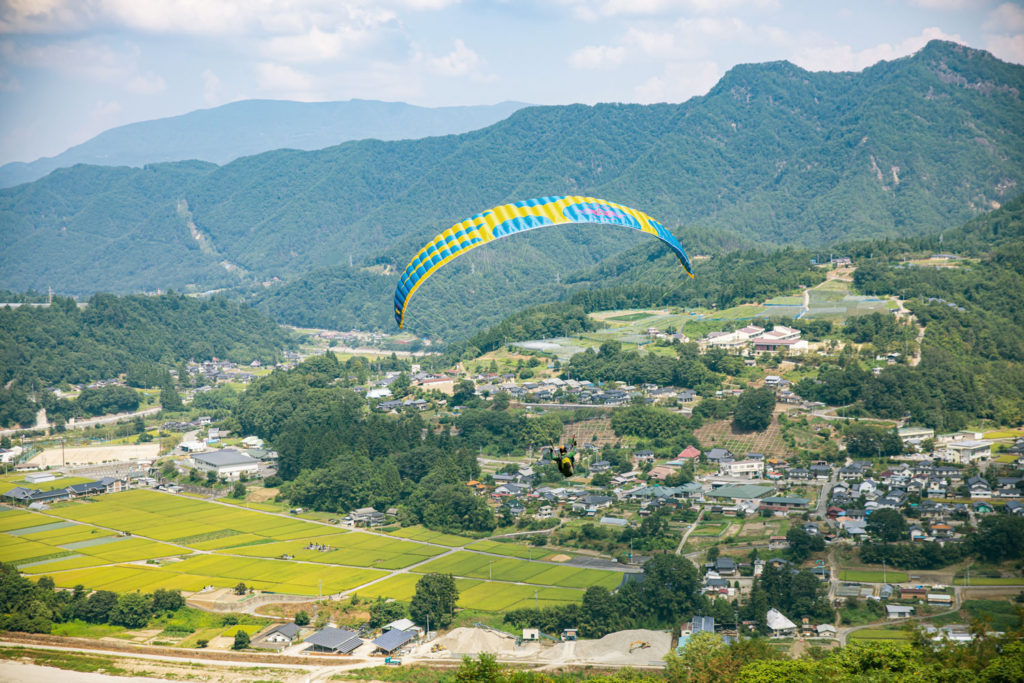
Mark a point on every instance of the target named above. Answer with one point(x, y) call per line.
point(508, 220)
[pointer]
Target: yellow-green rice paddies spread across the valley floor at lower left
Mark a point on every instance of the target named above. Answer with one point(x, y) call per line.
point(144, 540)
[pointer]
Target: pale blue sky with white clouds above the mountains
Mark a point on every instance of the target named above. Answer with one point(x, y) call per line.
point(72, 69)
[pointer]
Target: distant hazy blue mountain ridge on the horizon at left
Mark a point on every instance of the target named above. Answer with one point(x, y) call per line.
point(224, 134)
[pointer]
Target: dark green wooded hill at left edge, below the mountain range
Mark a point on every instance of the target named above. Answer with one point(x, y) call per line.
point(140, 336)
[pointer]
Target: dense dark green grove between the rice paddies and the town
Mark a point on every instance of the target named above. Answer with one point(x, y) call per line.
point(336, 455)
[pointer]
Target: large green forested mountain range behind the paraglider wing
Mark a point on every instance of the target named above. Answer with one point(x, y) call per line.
point(773, 155)
